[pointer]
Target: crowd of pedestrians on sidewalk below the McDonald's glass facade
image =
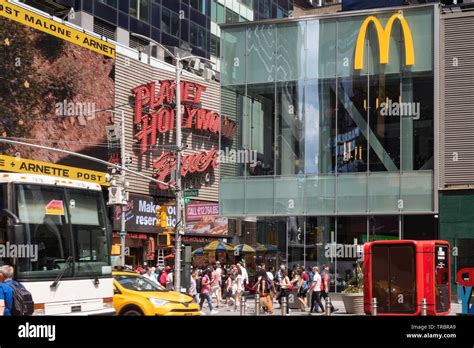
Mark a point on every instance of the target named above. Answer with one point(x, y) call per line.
point(223, 286)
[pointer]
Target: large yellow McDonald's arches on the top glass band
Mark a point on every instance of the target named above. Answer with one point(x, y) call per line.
point(383, 35)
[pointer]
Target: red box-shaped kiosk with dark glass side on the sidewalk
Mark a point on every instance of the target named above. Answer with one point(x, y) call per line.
point(399, 274)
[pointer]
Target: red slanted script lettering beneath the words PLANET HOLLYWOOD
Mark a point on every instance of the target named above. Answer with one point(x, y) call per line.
point(196, 163)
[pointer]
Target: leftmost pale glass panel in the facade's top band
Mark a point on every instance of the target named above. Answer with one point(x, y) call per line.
point(233, 56)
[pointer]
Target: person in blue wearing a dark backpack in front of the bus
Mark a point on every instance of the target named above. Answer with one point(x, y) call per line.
point(15, 300)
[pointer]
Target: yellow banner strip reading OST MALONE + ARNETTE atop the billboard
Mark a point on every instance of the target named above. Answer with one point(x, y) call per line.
point(57, 29)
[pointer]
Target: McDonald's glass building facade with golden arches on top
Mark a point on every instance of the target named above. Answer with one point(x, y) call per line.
point(341, 121)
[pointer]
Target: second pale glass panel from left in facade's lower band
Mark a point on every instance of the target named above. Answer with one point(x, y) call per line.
point(259, 196)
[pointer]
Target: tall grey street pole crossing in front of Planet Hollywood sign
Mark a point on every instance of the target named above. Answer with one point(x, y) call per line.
point(179, 191)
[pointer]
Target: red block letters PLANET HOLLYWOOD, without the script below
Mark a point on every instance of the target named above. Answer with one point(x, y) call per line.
point(155, 114)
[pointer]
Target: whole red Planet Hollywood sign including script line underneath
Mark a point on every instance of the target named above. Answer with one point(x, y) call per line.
point(155, 114)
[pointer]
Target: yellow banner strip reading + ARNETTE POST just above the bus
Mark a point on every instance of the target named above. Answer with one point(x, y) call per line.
point(12, 164)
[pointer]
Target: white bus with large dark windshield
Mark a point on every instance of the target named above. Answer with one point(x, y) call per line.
point(55, 233)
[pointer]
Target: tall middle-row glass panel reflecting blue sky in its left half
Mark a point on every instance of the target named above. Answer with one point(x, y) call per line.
point(320, 126)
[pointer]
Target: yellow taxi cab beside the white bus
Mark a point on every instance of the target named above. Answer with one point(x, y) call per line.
point(135, 295)
